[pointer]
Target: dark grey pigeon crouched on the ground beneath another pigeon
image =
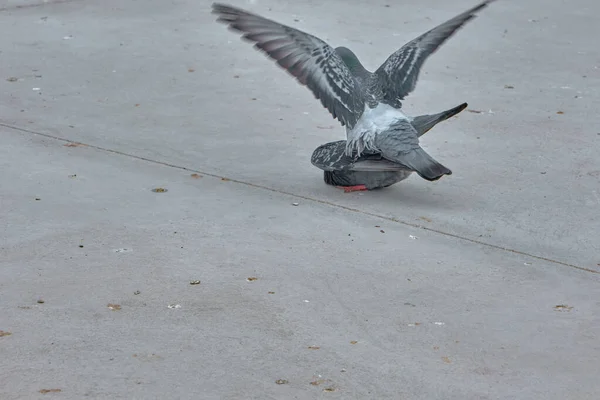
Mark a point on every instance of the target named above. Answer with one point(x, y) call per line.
point(369, 171)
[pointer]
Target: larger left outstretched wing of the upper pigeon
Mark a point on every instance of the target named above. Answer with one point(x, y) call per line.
point(312, 61)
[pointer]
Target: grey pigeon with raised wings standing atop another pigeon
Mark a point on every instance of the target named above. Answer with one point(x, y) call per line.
point(368, 104)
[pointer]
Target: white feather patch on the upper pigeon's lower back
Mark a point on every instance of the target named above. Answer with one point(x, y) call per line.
point(372, 122)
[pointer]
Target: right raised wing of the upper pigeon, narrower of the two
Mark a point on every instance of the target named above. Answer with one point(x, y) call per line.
point(399, 73)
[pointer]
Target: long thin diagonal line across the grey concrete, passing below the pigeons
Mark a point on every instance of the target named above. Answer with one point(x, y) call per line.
point(325, 202)
